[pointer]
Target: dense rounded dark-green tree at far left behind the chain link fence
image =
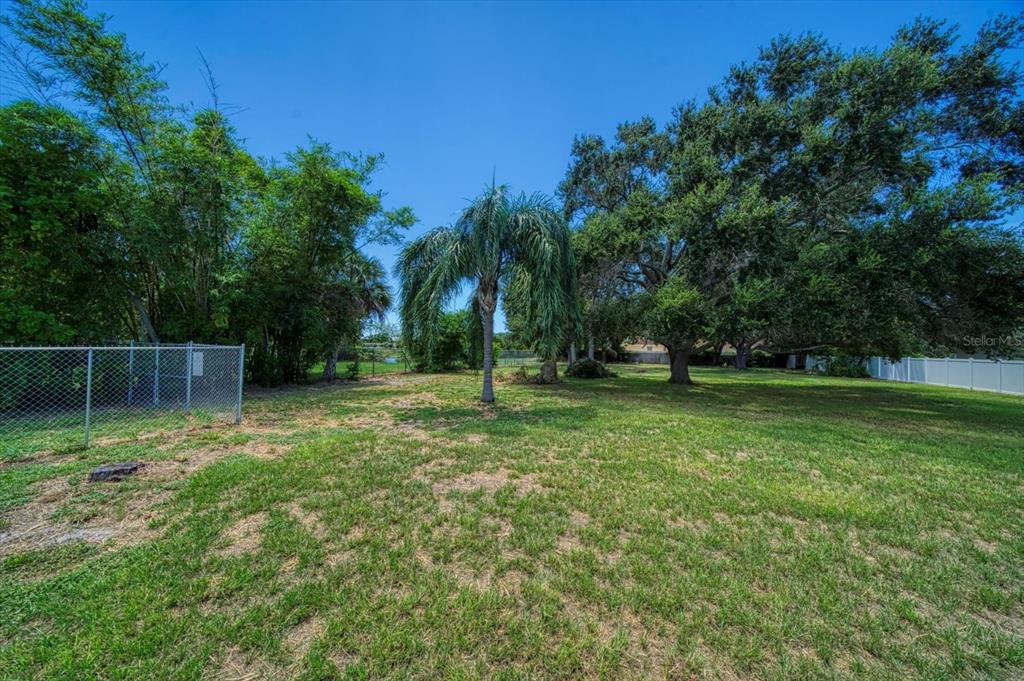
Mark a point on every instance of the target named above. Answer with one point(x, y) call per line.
point(58, 249)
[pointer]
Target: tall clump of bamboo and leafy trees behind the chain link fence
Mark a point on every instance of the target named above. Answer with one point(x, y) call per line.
point(126, 218)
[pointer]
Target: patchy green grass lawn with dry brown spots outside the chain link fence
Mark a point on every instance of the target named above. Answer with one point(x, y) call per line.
point(763, 525)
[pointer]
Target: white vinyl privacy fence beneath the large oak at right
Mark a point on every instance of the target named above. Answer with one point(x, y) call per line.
point(996, 375)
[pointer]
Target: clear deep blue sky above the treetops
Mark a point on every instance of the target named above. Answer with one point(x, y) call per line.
point(452, 93)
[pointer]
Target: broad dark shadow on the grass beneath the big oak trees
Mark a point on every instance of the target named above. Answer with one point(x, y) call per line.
point(973, 428)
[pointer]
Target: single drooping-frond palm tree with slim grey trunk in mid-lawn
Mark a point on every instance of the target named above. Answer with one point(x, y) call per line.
point(498, 240)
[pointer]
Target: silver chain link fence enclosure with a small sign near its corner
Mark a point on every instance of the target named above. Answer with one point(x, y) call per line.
point(60, 397)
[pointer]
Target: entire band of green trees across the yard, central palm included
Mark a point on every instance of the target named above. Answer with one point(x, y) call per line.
point(816, 200)
